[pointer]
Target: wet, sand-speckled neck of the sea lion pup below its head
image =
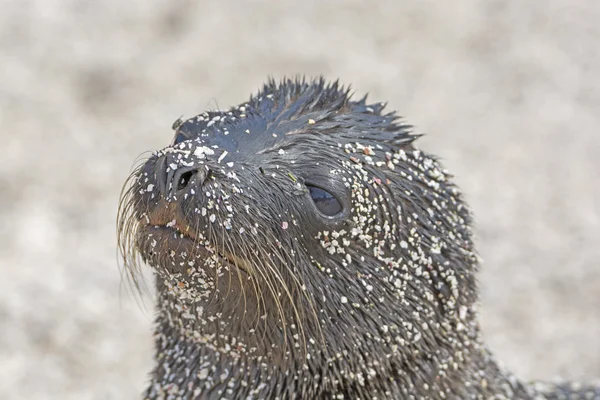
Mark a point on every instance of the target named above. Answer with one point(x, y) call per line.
point(213, 365)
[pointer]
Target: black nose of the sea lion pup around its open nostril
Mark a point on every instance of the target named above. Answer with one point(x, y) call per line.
point(174, 178)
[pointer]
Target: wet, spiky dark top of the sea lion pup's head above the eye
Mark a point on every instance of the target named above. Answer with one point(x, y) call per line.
point(294, 117)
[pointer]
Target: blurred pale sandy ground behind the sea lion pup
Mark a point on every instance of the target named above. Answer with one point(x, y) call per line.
point(508, 93)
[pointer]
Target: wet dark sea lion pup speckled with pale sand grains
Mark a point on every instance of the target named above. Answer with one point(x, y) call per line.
point(303, 248)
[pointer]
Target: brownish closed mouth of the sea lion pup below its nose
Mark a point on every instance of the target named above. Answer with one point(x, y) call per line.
point(170, 236)
